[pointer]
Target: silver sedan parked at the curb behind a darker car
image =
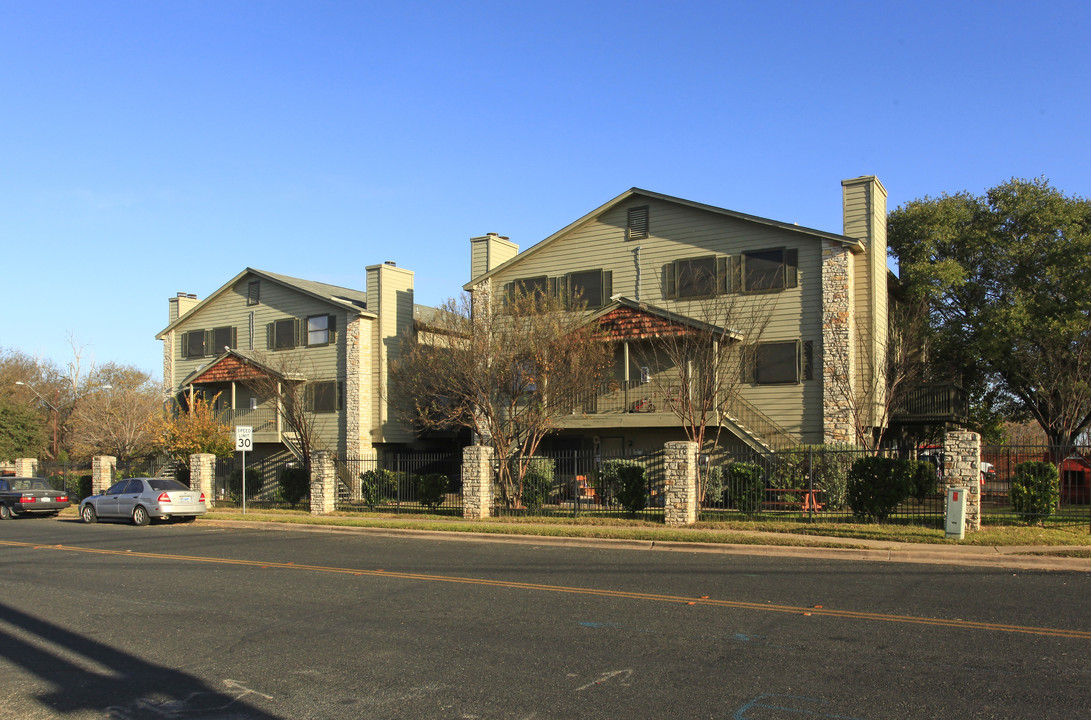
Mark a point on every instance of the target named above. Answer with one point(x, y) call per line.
point(141, 499)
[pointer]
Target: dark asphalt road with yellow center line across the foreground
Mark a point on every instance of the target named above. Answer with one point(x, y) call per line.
point(172, 621)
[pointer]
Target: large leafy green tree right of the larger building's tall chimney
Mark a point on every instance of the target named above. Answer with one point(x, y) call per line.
point(1009, 279)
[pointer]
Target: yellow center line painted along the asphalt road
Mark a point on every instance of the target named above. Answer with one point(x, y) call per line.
point(849, 615)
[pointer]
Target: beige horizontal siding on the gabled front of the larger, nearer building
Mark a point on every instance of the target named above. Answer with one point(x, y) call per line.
point(677, 233)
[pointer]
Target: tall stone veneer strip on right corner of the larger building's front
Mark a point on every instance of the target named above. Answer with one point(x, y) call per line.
point(838, 347)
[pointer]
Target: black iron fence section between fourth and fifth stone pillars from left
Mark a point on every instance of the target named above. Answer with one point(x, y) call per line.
point(405, 483)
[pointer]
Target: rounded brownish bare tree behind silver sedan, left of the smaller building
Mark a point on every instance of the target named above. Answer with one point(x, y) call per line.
point(116, 421)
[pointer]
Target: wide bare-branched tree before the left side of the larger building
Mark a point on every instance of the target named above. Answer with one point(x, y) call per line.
point(505, 366)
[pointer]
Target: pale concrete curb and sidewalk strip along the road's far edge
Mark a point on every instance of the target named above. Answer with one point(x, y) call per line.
point(1011, 558)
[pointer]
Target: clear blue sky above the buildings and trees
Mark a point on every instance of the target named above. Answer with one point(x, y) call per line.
point(155, 148)
